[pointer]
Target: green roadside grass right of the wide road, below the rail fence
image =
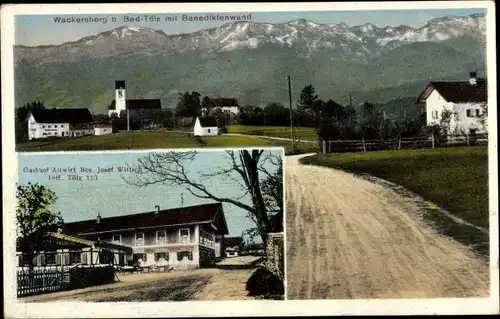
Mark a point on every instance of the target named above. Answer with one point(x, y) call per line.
point(455, 178)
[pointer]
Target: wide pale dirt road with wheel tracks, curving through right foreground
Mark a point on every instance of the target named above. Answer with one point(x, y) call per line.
point(348, 238)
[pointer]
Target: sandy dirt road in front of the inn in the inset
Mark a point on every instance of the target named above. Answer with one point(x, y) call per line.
point(200, 284)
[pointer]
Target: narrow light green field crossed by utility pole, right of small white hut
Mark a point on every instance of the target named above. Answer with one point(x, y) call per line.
point(302, 133)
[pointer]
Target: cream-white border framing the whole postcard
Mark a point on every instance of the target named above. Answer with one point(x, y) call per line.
point(14, 308)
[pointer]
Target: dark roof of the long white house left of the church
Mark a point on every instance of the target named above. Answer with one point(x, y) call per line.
point(72, 116)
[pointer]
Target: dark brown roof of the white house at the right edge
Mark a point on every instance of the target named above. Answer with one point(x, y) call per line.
point(457, 92)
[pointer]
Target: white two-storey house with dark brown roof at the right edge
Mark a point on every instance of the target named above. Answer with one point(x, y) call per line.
point(464, 99)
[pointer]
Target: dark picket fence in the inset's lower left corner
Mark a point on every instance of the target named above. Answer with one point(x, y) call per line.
point(51, 279)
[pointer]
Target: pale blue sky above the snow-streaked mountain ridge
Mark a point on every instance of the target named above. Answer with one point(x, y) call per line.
point(42, 30)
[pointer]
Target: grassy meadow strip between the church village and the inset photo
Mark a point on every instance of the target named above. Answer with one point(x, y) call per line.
point(151, 140)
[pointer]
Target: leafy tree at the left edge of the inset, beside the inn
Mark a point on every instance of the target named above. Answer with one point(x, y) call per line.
point(34, 218)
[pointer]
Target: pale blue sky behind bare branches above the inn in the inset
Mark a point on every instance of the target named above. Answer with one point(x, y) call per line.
point(110, 195)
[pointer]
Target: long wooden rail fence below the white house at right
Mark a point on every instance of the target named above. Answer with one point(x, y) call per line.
point(344, 146)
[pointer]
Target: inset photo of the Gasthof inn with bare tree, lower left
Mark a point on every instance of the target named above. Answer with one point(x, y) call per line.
point(162, 225)
